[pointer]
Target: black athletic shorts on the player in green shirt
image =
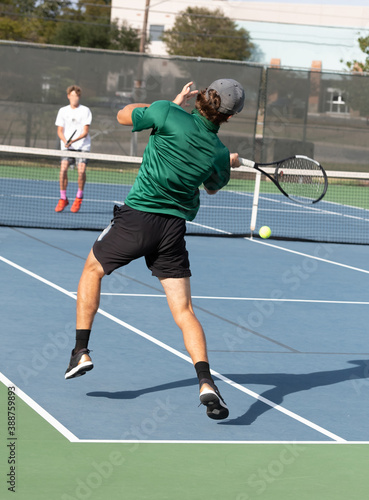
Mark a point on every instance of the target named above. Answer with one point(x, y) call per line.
point(133, 234)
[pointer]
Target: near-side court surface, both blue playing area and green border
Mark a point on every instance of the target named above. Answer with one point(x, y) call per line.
point(286, 324)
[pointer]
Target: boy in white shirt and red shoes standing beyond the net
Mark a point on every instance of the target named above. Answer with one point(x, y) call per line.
point(73, 122)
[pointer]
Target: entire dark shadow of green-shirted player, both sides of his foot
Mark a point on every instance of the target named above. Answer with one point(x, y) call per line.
point(282, 384)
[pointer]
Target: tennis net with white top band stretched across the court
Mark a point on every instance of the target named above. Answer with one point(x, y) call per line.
point(29, 192)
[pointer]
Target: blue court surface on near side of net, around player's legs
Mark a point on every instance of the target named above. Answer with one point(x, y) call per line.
point(286, 325)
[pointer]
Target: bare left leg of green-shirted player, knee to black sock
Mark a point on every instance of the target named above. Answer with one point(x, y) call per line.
point(88, 294)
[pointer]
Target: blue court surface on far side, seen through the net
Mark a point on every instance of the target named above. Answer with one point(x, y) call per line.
point(30, 203)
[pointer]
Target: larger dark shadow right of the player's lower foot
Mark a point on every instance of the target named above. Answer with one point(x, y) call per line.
point(287, 383)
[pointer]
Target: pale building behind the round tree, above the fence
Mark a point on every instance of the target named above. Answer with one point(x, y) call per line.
point(295, 33)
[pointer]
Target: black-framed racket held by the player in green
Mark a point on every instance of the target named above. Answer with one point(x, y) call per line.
point(300, 178)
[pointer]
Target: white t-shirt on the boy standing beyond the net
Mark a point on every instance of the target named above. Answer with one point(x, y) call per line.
point(74, 119)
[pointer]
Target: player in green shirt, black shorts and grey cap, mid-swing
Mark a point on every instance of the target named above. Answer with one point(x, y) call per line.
point(183, 153)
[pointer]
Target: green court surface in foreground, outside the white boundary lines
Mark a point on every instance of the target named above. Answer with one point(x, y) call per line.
point(49, 467)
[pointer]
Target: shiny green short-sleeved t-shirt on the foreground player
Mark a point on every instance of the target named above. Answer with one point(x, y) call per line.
point(183, 152)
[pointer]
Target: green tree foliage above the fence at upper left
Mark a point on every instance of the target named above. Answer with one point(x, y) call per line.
point(63, 23)
